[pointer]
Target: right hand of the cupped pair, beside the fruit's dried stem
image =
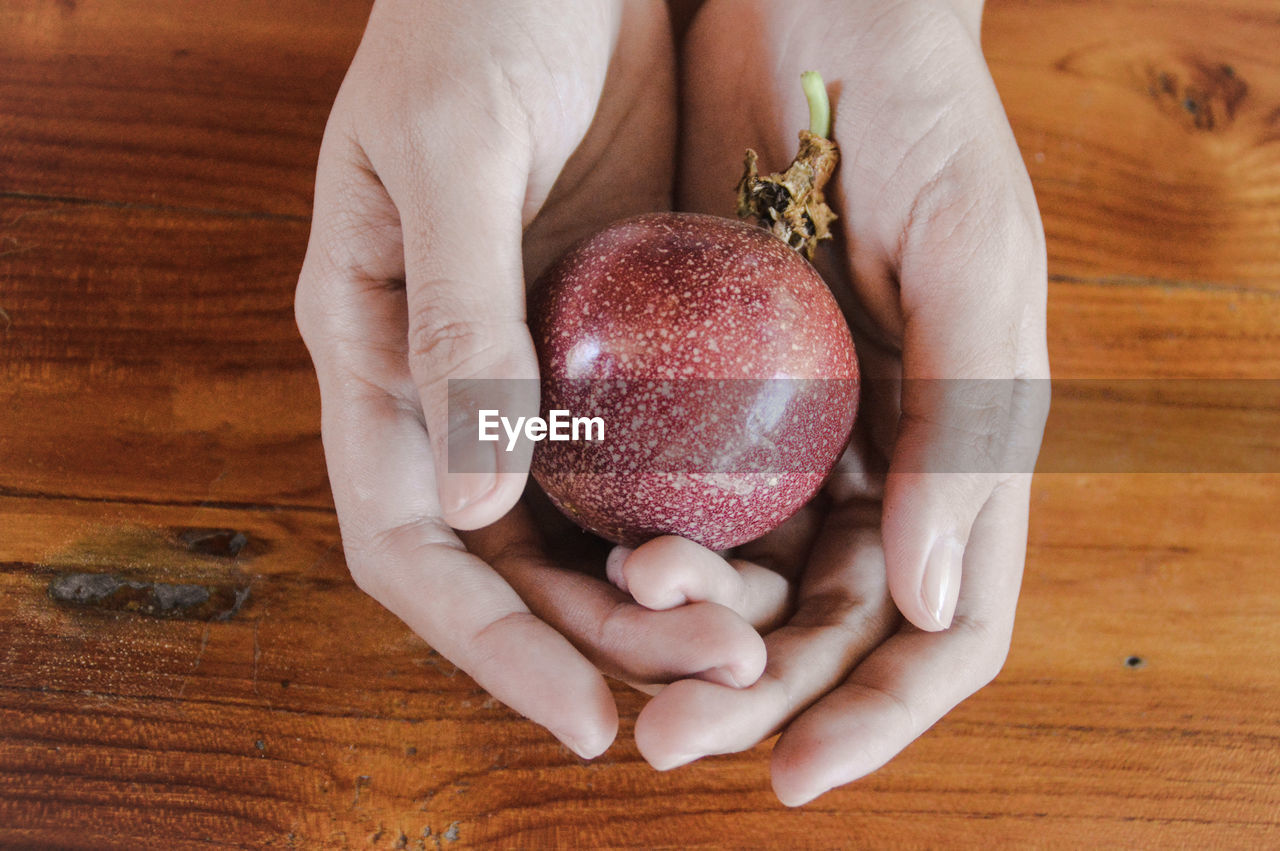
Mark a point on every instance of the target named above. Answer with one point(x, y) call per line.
point(943, 273)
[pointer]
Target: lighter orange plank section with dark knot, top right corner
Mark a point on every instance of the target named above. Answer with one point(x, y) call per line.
point(1153, 134)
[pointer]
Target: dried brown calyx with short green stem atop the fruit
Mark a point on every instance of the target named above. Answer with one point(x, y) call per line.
point(792, 204)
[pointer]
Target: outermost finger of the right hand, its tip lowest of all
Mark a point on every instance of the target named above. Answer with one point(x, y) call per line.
point(915, 678)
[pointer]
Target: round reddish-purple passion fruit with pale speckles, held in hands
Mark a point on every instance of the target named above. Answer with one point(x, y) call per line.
point(652, 324)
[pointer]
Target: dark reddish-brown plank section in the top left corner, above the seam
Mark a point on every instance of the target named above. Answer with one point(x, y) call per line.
point(217, 106)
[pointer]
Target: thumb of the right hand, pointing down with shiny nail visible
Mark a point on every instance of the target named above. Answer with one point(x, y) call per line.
point(973, 400)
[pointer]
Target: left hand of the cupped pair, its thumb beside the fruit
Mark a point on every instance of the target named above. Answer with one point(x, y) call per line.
point(469, 145)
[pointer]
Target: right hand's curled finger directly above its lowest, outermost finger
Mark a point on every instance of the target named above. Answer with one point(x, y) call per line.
point(844, 612)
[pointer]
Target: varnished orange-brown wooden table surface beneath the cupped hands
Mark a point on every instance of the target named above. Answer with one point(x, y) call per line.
point(159, 447)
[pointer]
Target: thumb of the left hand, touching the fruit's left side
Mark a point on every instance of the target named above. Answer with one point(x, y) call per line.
point(469, 346)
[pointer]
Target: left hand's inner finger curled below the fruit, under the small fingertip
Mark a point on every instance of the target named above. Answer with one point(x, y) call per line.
point(624, 639)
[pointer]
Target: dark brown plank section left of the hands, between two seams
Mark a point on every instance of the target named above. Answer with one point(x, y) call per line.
point(150, 354)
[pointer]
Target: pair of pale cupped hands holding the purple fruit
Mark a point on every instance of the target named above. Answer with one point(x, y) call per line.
point(469, 147)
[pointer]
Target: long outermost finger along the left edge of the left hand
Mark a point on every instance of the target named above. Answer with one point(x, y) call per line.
point(381, 466)
